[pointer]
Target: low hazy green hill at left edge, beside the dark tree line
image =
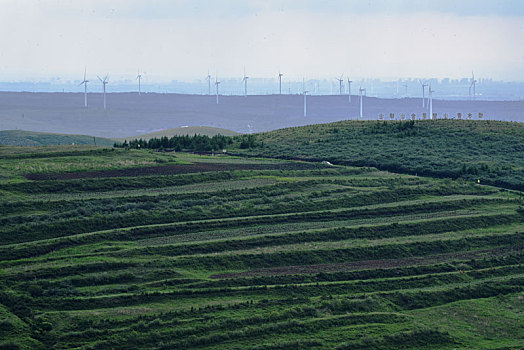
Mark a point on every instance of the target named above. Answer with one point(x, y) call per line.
point(32, 138)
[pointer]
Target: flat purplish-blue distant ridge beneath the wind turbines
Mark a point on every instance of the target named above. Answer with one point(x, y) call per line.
point(128, 115)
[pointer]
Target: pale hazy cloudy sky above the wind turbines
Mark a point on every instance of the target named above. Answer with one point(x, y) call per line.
point(183, 39)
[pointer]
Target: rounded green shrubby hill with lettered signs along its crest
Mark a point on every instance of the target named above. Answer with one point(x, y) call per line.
point(487, 150)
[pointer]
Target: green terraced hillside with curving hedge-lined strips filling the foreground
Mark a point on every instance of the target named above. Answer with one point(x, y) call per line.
point(99, 251)
